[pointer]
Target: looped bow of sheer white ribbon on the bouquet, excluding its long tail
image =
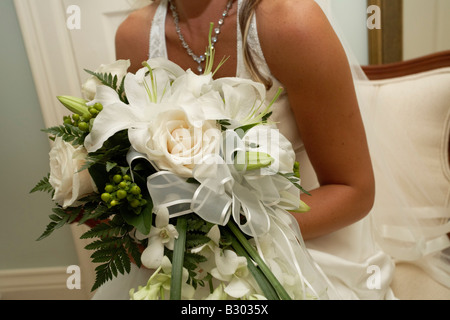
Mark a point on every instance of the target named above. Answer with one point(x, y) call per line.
point(223, 191)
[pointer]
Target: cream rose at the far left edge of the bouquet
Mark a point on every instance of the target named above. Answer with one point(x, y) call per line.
point(69, 183)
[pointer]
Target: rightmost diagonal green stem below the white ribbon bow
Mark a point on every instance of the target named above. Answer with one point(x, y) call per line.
point(259, 261)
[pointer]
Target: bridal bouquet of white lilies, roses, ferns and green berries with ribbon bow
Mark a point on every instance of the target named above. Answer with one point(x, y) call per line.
point(185, 175)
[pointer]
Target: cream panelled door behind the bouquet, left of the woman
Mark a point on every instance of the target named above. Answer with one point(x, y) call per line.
point(58, 56)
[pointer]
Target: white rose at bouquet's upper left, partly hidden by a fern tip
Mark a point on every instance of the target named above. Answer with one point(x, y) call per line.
point(119, 68)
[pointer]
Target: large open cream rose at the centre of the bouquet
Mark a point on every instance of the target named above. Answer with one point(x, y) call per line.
point(173, 143)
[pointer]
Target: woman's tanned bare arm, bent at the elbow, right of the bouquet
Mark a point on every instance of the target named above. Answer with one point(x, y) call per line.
point(304, 53)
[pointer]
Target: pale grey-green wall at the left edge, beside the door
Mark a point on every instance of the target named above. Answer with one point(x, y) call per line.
point(24, 161)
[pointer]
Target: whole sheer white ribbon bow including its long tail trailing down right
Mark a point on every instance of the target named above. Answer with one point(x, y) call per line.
point(257, 202)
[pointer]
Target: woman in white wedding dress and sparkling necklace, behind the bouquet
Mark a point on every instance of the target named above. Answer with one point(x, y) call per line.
point(289, 44)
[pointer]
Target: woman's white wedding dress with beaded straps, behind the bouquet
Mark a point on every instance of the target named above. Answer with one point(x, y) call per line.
point(352, 263)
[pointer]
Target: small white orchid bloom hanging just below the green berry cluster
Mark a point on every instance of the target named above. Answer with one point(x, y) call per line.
point(161, 235)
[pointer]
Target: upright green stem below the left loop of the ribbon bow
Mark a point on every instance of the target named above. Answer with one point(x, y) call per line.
point(178, 259)
